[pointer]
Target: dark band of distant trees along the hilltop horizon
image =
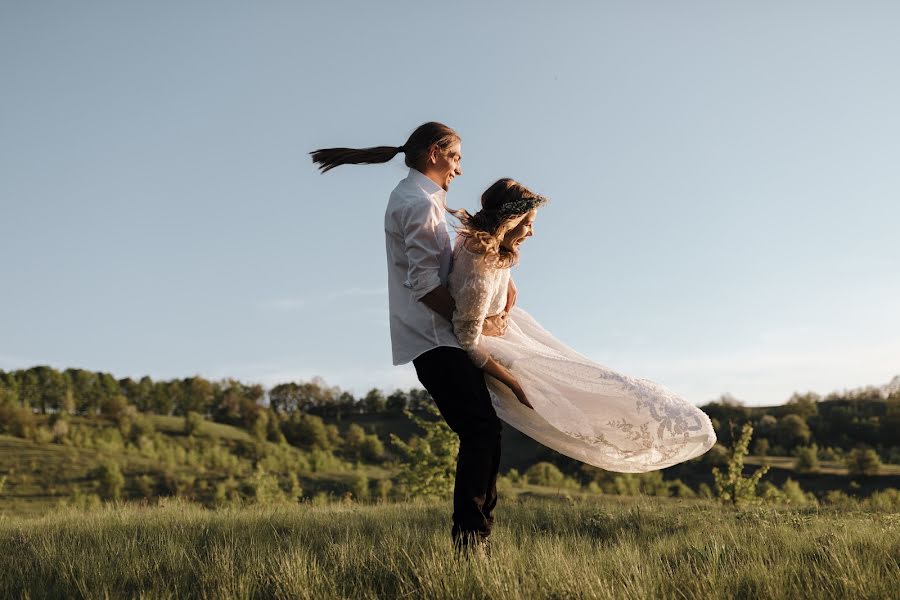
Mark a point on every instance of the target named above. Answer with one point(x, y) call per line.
point(836, 424)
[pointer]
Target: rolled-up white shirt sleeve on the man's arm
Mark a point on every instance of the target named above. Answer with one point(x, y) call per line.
point(423, 247)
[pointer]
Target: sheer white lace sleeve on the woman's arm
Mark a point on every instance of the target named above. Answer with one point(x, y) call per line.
point(472, 301)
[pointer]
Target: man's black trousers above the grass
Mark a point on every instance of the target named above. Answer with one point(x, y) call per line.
point(462, 397)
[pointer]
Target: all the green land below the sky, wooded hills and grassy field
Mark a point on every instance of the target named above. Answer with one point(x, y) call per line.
point(196, 489)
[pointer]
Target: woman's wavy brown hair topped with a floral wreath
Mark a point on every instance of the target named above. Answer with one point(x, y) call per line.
point(503, 205)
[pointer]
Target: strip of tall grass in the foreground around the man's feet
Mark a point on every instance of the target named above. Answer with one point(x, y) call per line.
point(543, 548)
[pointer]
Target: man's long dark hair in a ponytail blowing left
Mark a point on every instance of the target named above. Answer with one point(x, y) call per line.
point(417, 148)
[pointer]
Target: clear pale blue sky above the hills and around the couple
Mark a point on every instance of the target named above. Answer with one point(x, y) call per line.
point(724, 182)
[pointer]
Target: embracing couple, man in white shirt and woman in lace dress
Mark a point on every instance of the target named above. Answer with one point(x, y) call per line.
point(453, 314)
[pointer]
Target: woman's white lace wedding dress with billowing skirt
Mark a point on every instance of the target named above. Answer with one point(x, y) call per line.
point(581, 409)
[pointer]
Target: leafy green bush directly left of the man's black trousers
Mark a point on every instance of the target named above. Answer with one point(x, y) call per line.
point(428, 464)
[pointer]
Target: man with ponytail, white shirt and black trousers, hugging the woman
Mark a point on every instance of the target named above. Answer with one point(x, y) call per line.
point(419, 255)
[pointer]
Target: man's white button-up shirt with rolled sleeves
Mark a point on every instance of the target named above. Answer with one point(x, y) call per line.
point(419, 256)
